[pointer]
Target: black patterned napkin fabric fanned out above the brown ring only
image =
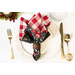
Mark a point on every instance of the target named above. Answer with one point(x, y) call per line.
point(33, 39)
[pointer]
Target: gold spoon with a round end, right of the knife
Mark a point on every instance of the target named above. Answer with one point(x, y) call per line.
point(69, 56)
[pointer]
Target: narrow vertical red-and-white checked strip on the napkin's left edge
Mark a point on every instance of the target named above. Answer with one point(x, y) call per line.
point(22, 27)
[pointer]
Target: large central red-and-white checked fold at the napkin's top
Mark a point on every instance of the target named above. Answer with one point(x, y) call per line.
point(35, 22)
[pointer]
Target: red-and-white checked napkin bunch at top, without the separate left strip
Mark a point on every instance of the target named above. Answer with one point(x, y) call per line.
point(39, 23)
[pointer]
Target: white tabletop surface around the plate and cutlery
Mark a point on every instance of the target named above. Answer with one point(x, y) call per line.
point(68, 26)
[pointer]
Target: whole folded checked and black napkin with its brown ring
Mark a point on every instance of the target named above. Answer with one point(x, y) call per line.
point(34, 31)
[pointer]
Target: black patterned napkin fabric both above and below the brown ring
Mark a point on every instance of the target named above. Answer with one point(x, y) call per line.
point(30, 37)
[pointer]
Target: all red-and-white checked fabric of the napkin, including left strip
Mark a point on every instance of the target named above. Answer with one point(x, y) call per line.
point(37, 23)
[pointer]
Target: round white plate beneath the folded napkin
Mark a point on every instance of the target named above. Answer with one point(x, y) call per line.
point(49, 48)
